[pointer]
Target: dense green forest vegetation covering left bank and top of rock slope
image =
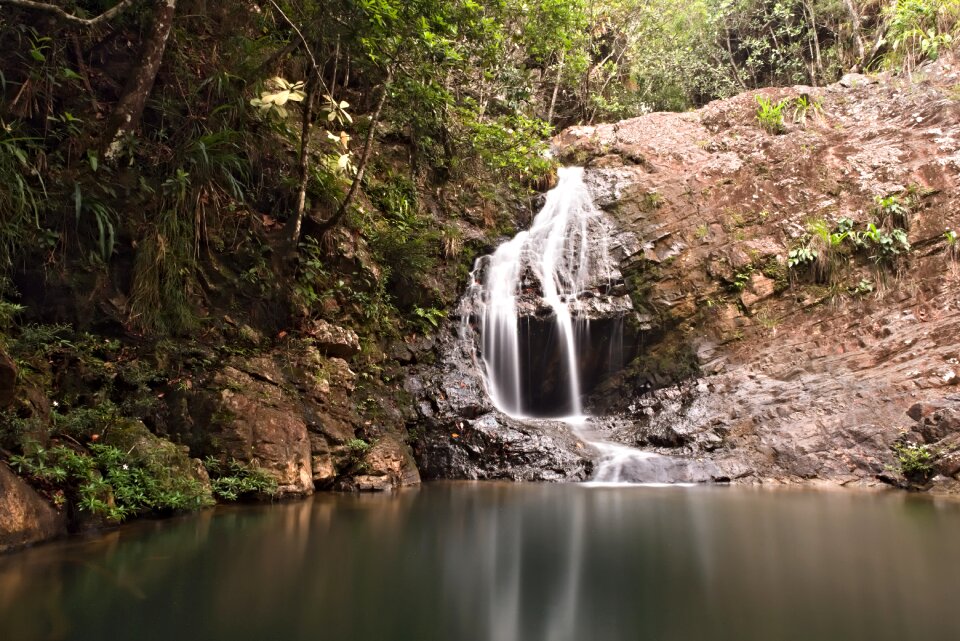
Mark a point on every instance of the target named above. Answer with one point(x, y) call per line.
point(166, 164)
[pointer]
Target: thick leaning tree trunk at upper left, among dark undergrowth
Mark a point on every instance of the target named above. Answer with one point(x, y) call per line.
point(126, 114)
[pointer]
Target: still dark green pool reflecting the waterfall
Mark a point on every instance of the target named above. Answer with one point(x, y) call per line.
point(505, 562)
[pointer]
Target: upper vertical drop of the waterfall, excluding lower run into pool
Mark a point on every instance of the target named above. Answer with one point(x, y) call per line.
point(542, 275)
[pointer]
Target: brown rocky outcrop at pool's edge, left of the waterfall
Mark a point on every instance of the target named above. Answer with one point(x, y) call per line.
point(291, 412)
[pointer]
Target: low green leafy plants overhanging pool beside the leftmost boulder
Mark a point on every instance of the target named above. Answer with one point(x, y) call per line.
point(108, 482)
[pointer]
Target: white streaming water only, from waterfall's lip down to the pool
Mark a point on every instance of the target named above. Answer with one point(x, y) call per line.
point(563, 255)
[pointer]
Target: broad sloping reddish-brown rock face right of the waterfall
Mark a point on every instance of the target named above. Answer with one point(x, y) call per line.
point(774, 373)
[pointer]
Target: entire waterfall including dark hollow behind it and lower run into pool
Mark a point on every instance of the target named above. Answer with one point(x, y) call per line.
point(526, 319)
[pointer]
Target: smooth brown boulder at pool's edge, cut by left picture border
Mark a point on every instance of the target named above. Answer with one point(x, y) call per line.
point(25, 517)
